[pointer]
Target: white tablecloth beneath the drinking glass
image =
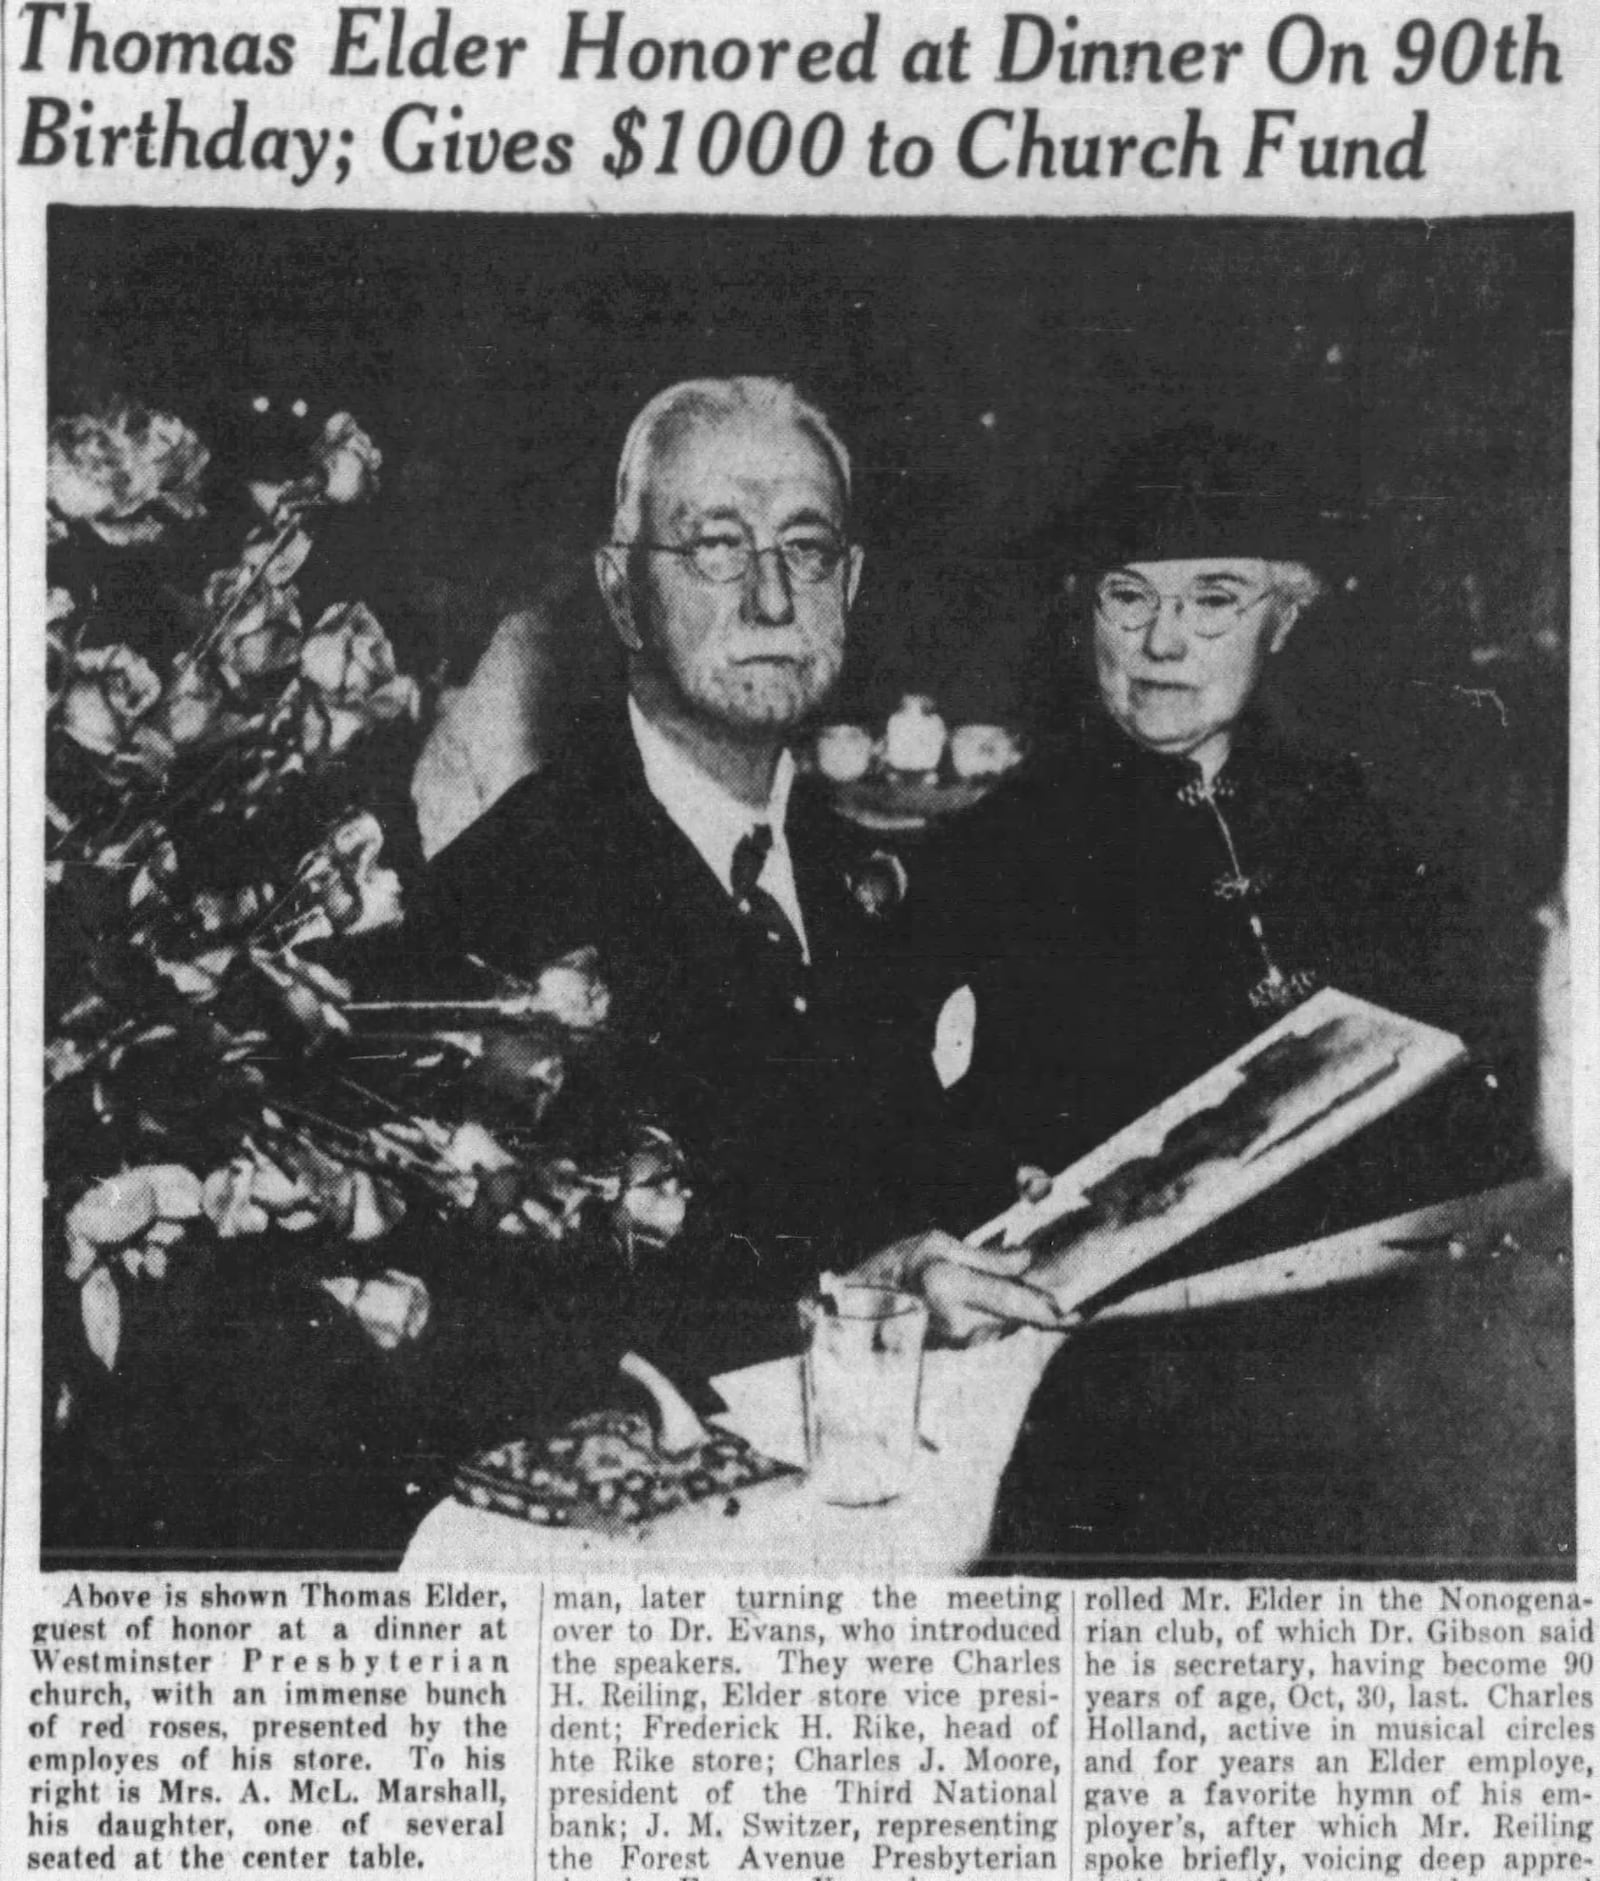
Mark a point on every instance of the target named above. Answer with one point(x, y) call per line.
point(971, 1414)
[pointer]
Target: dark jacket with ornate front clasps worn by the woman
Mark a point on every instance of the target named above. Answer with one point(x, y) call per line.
point(1123, 923)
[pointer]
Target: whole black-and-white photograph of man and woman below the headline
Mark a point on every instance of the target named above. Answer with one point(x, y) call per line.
point(808, 894)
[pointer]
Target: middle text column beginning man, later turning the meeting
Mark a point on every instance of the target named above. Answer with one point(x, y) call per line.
point(744, 1728)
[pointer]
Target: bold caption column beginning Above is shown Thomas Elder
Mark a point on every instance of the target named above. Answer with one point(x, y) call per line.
point(289, 1726)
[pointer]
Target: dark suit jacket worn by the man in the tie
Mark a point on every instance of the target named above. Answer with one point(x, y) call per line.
point(811, 1135)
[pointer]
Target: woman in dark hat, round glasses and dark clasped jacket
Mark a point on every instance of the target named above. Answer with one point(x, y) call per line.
point(1182, 874)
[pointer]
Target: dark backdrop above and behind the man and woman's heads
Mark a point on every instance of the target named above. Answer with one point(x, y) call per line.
point(984, 373)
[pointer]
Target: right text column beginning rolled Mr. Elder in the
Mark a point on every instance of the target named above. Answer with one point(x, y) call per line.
point(1281, 1728)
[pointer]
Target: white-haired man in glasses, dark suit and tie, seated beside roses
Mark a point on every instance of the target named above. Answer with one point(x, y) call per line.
point(761, 988)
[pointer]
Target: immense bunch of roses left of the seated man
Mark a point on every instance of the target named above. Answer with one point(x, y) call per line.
point(213, 879)
